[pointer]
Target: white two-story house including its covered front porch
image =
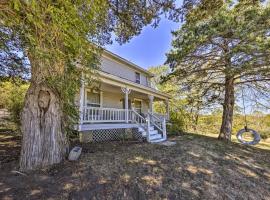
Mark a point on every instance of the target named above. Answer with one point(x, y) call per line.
point(123, 102)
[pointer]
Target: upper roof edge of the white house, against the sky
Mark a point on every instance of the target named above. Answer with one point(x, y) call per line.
point(125, 61)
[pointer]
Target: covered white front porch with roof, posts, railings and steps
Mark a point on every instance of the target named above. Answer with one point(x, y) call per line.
point(117, 106)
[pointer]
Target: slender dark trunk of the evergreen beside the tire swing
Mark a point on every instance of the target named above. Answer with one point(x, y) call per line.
point(228, 106)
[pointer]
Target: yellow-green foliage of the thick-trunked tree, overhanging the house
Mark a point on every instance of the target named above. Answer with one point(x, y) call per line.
point(63, 39)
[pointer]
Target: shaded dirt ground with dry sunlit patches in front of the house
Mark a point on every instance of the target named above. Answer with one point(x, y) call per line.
point(197, 167)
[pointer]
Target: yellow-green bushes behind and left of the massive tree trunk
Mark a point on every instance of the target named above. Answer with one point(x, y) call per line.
point(12, 98)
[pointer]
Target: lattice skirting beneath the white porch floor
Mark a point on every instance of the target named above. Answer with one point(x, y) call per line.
point(111, 135)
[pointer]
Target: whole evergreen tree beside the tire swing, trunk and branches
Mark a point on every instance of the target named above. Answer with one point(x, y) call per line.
point(219, 50)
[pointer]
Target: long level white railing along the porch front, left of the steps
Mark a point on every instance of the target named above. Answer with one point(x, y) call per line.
point(97, 114)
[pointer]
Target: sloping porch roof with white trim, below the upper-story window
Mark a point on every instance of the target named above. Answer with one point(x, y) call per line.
point(121, 82)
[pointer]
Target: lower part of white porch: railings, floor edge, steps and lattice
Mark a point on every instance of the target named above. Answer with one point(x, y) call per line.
point(110, 120)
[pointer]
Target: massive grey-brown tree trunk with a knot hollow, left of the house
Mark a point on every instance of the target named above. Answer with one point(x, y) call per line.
point(44, 141)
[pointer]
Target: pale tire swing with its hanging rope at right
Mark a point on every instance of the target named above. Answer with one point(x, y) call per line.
point(256, 135)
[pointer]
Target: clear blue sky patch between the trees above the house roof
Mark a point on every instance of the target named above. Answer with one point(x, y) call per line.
point(149, 48)
